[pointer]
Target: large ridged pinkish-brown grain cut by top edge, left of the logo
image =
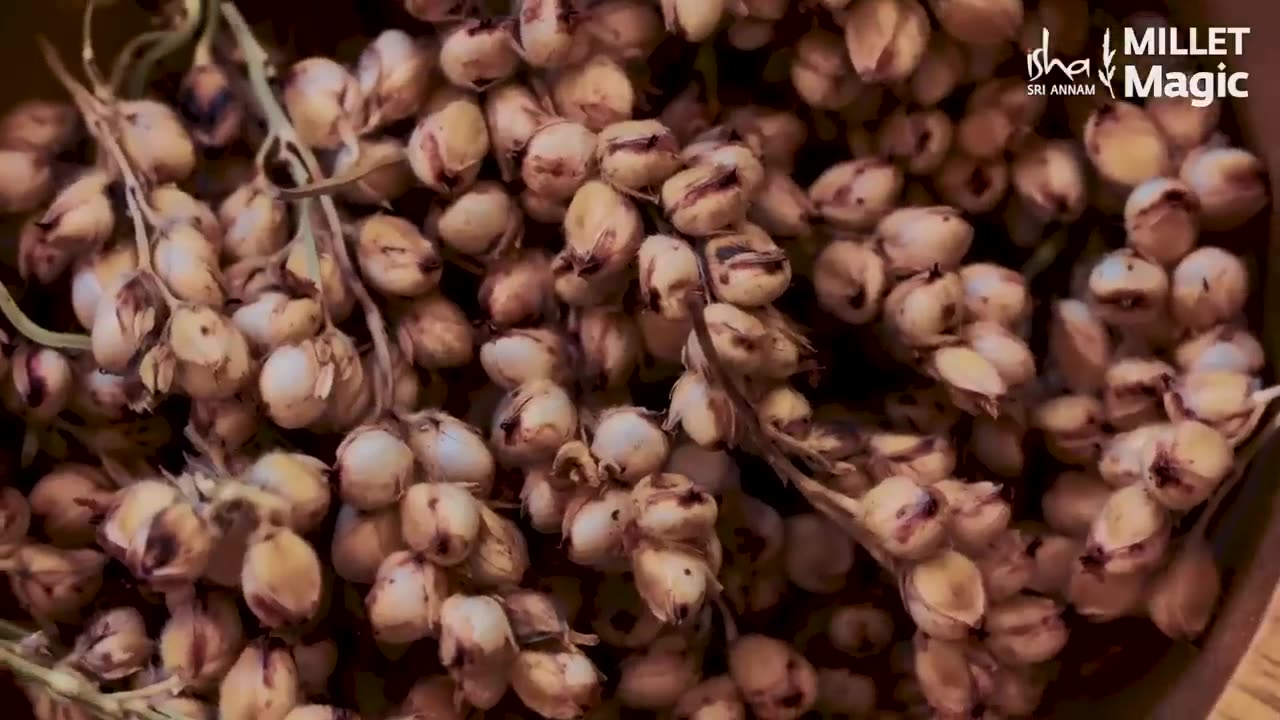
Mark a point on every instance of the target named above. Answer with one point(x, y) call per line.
point(886, 39)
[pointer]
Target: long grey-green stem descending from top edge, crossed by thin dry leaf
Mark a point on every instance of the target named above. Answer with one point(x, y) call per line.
point(309, 171)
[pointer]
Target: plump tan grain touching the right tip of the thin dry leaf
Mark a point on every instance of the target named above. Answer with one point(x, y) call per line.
point(449, 145)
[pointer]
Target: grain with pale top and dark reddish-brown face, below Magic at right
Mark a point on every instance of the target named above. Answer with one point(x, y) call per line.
point(1162, 220)
